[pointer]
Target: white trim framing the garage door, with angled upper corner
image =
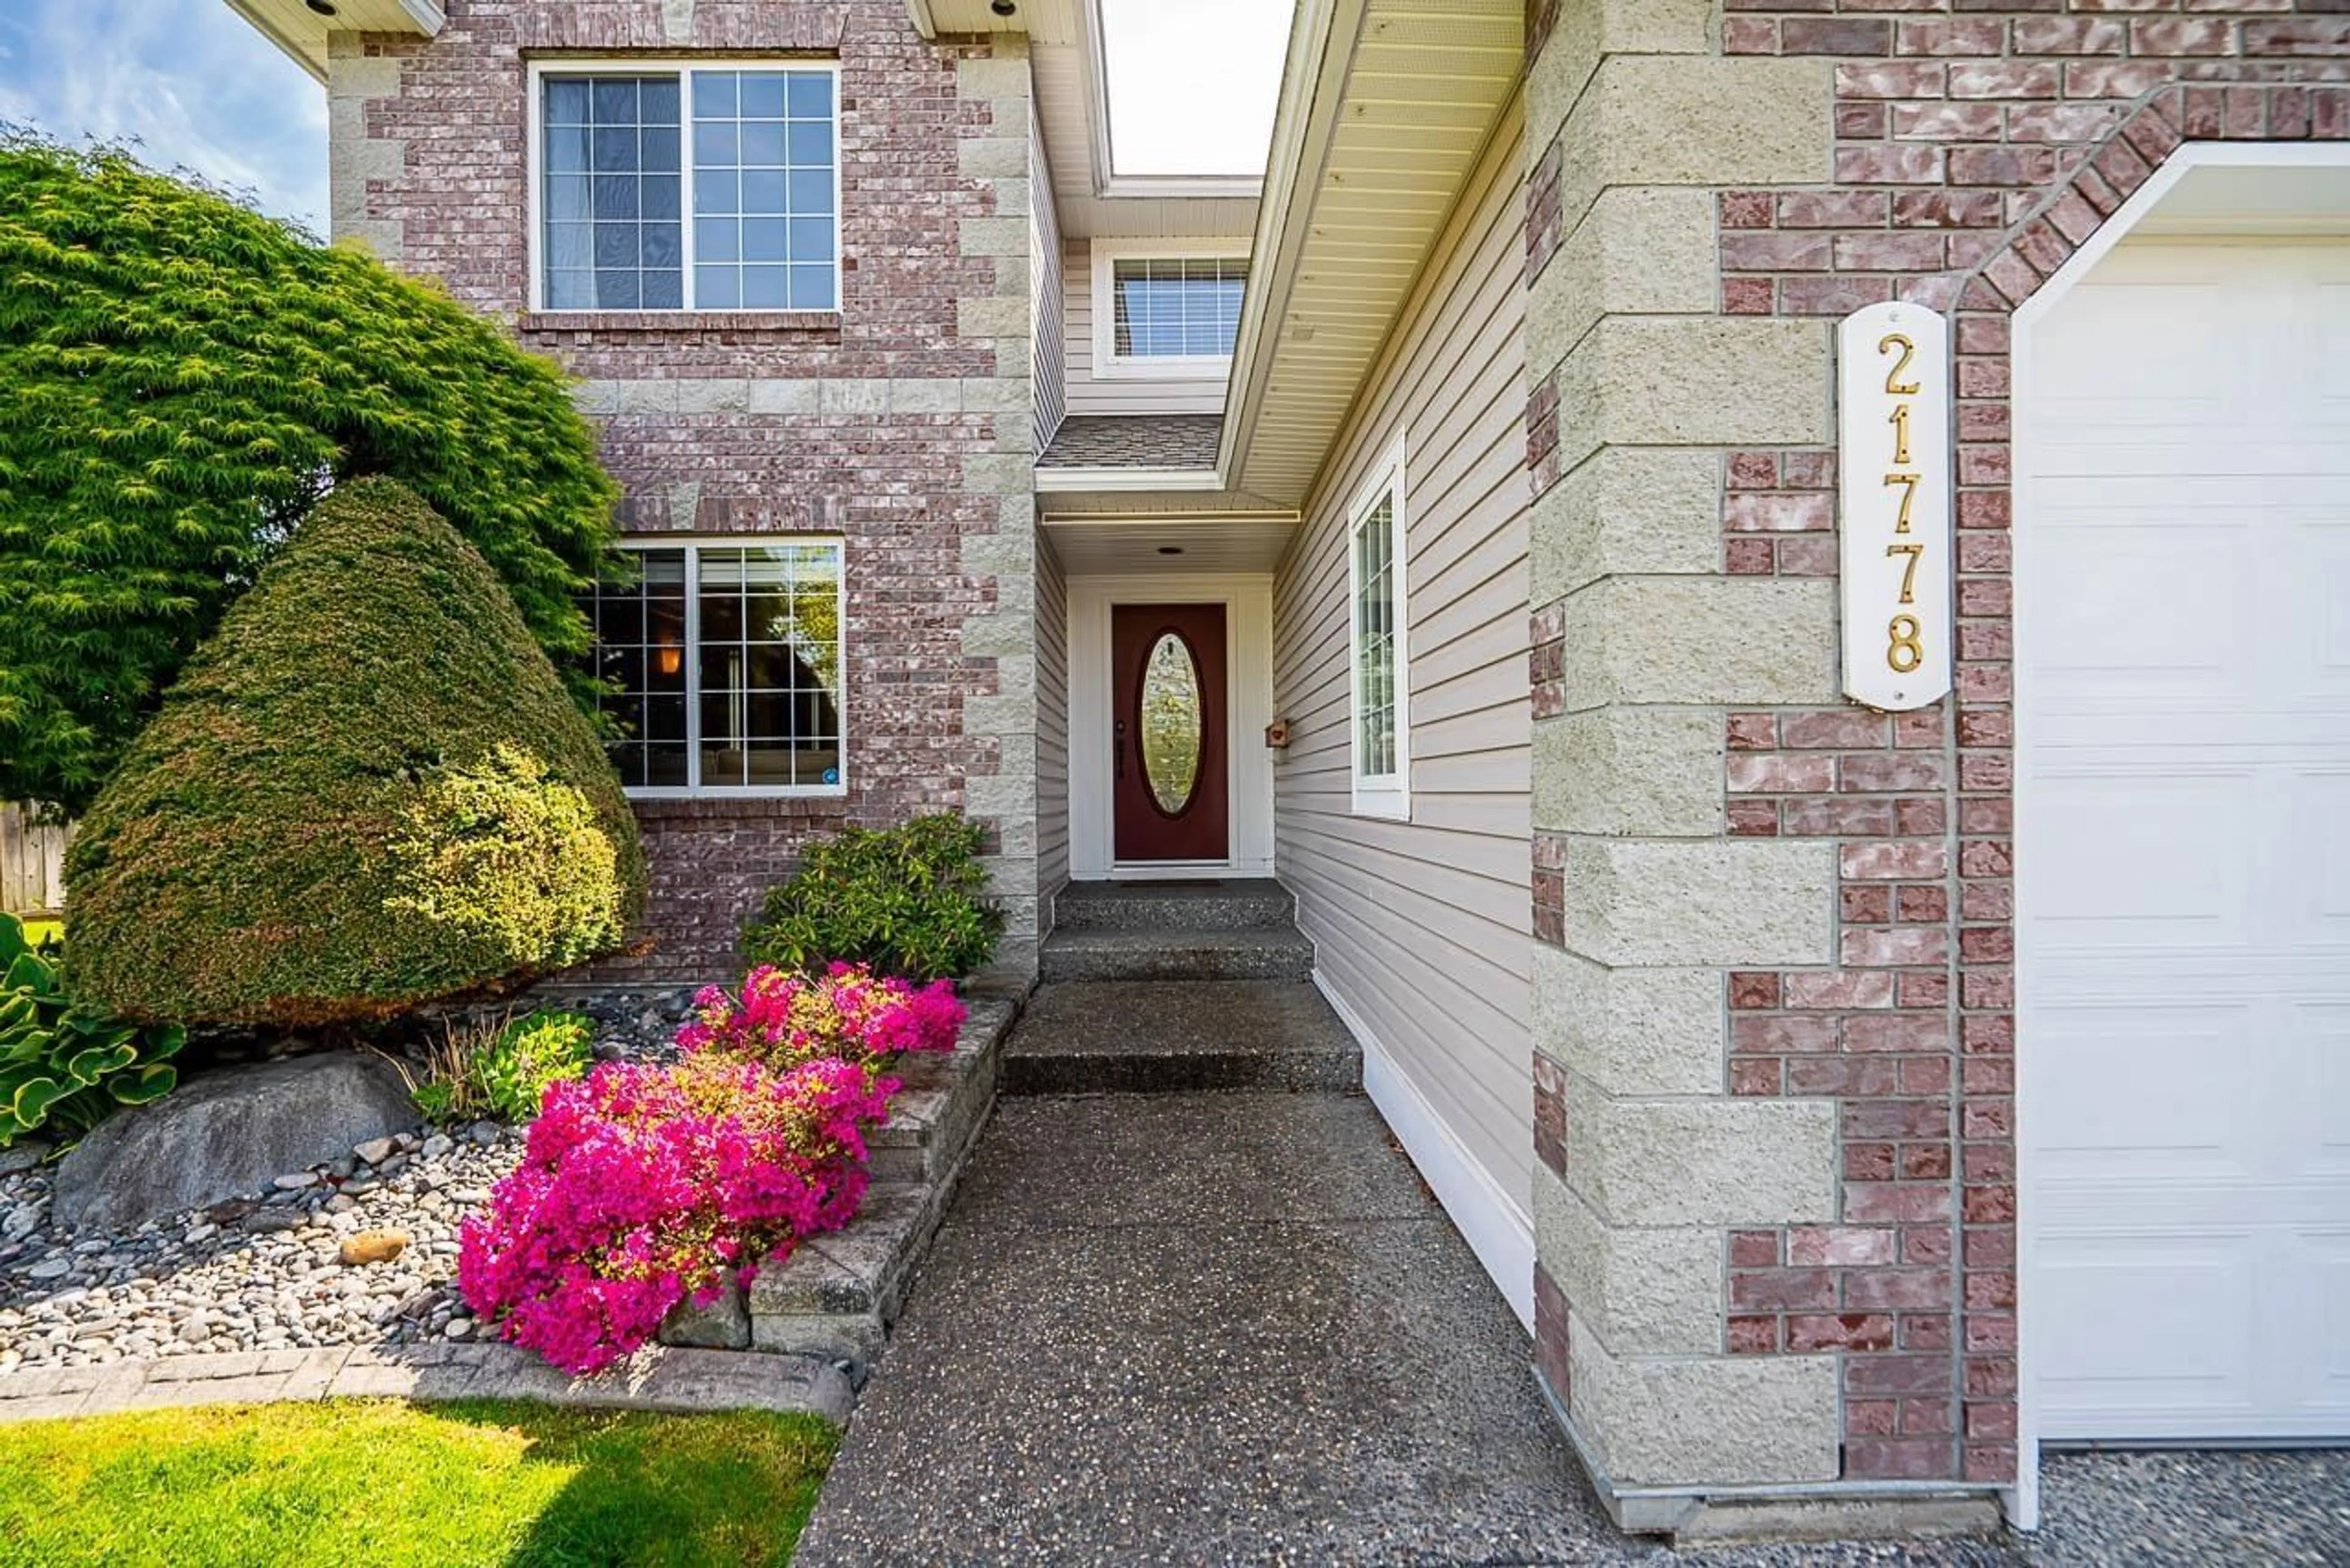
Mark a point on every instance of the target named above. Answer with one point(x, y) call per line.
point(2025, 582)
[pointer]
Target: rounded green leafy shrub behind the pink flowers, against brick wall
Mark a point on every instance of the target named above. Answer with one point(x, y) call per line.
point(911, 902)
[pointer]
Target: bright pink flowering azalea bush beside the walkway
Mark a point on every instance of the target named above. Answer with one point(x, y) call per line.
point(647, 1186)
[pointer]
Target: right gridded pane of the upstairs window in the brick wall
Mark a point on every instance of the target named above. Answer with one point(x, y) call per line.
point(765, 232)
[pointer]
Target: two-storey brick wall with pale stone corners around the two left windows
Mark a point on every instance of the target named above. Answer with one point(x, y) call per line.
point(899, 424)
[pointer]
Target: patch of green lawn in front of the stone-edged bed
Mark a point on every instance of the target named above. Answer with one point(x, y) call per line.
point(391, 1485)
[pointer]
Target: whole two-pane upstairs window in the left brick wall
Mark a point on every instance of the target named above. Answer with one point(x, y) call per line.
point(690, 189)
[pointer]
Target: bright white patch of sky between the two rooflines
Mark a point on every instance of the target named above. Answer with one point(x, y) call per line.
point(1193, 83)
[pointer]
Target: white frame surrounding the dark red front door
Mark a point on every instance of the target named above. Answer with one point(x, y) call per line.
point(1249, 671)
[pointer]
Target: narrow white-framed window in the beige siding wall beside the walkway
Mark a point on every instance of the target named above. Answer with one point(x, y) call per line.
point(1376, 650)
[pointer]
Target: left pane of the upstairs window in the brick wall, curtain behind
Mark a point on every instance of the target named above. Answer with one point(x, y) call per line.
point(615, 203)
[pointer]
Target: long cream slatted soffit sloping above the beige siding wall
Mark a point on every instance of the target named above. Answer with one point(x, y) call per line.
point(1383, 116)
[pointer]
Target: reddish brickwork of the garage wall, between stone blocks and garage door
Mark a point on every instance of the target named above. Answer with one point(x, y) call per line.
point(1975, 149)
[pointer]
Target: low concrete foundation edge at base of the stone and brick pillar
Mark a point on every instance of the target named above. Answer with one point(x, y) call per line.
point(1832, 1510)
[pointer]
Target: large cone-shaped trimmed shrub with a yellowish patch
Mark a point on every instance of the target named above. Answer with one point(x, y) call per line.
point(365, 791)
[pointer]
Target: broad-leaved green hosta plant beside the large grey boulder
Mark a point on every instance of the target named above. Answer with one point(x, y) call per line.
point(65, 1066)
